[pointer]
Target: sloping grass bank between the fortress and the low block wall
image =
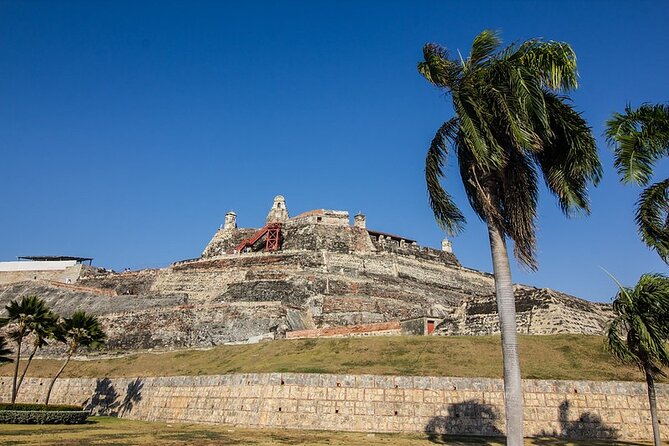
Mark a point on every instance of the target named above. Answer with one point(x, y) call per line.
point(543, 357)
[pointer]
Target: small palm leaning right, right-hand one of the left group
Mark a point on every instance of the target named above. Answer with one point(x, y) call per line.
point(80, 330)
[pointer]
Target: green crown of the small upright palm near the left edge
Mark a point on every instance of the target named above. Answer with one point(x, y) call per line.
point(31, 314)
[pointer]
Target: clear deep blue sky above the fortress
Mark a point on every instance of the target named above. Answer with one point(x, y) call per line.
point(129, 128)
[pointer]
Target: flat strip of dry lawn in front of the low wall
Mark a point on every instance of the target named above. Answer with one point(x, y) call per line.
point(114, 431)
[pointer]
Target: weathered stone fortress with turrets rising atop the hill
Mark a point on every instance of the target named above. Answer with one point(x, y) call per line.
point(314, 274)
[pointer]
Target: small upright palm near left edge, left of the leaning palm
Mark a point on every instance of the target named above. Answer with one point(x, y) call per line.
point(22, 318)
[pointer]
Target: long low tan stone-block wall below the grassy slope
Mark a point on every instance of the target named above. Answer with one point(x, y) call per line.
point(366, 403)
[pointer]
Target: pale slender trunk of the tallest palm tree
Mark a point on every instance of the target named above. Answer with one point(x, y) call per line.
point(506, 308)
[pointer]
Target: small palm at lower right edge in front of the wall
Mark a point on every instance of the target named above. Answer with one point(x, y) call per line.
point(639, 332)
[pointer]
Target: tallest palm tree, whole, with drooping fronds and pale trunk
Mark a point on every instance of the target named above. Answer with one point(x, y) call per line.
point(511, 125)
